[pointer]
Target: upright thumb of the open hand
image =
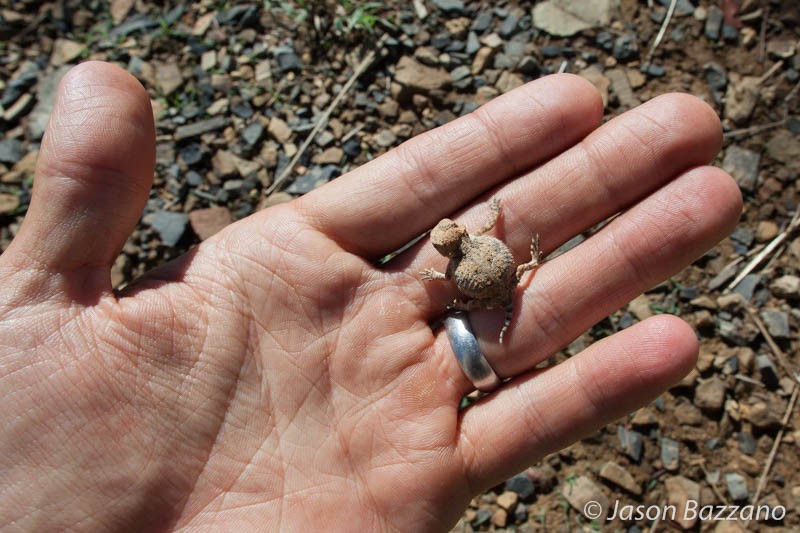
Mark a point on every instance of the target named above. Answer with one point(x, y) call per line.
point(92, 180)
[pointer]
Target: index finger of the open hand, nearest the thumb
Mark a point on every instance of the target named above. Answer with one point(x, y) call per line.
point(406, 191)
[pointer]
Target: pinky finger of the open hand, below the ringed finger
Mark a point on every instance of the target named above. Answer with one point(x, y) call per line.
point(544, 411)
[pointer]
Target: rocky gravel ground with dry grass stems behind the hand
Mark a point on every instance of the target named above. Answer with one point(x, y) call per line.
point(257, 103)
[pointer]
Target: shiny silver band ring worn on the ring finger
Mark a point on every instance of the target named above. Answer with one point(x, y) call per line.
point(468, 352)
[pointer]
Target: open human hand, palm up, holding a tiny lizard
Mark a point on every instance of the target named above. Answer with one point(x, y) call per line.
point(274, 377)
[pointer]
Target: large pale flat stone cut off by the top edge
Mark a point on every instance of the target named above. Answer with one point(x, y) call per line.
point(568, 17)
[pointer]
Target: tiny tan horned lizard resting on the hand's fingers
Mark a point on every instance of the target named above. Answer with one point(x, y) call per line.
point(481, 266)
